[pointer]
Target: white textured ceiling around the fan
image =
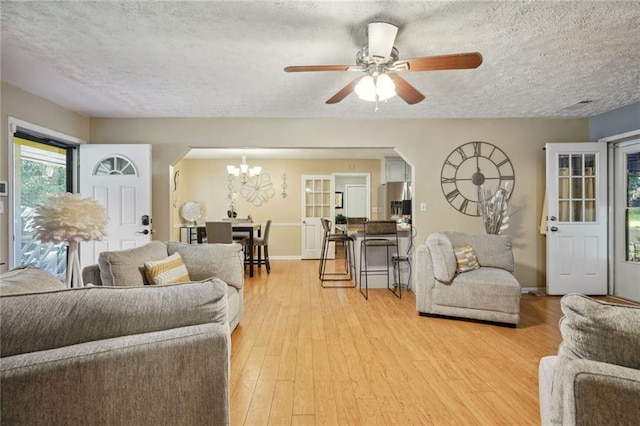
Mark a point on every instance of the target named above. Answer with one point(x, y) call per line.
point(226, 58)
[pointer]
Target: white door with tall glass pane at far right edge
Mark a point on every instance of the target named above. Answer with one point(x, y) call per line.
point(626, 221)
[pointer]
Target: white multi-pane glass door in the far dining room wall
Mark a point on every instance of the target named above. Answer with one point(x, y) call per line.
point(318, 192)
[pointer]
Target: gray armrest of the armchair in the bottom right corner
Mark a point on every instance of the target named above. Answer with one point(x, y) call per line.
point(600, 393)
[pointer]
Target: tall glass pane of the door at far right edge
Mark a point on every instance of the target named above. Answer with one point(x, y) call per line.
point(632, 213)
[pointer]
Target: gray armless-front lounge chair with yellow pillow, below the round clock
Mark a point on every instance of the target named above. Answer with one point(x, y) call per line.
point(490, 293)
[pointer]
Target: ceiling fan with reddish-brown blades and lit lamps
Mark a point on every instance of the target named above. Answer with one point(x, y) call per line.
point(380, 62)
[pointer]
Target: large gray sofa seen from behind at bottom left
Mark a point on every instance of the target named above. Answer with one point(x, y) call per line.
point(152, 355)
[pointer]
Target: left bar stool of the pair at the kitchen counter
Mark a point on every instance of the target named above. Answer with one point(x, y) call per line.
point(349, 266)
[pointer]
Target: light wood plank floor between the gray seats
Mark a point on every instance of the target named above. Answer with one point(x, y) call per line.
point(304, 355)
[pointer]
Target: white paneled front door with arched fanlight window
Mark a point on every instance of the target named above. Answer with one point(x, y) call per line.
point(119, 178)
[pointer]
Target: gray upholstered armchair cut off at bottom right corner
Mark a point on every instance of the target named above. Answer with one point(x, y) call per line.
point(595, 377)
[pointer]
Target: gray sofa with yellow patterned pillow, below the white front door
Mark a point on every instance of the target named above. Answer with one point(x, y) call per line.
point(223, 261)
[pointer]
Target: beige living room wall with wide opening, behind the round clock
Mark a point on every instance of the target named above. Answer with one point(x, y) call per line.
point(423, 143)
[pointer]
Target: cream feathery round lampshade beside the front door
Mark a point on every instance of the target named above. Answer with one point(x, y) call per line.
point(69, 217)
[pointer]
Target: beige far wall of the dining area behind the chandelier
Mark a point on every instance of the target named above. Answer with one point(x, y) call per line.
point(205, 181)
